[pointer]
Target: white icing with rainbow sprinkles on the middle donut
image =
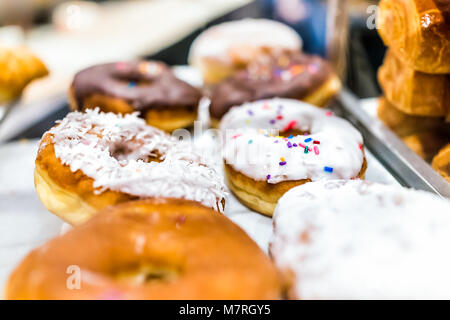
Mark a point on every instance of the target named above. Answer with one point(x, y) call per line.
point(249, 149)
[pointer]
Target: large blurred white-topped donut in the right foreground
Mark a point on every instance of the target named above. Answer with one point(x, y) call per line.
point(359, 240)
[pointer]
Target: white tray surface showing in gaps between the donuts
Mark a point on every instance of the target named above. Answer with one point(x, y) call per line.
point(26, 224)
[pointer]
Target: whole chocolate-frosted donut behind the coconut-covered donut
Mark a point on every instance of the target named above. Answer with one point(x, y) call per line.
point(148, 87)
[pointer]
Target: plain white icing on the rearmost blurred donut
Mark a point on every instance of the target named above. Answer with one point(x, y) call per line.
point(218, 41)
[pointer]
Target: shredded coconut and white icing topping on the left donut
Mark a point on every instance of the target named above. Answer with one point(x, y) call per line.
point(85, 141)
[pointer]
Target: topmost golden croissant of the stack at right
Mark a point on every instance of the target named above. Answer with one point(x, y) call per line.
point(418, 31)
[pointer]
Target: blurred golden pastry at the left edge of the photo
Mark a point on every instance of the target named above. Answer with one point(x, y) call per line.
point(19, 66)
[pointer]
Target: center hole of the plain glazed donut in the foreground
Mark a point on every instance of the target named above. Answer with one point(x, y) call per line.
point(146, 273)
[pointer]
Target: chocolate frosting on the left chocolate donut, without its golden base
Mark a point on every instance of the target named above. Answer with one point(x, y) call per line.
point(144, 85)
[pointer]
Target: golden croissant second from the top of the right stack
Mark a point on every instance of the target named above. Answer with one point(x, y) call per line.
point(414, 92)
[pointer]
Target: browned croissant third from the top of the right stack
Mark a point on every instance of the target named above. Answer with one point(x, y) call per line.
point(404, 124)
